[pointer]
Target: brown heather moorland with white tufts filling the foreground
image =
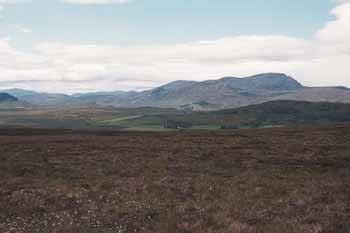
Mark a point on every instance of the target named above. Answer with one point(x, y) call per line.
point(252, 181)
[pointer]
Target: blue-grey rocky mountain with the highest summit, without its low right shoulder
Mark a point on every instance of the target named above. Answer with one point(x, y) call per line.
point(222, 93)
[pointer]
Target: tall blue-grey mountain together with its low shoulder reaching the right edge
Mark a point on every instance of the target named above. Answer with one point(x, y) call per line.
point(231, 92)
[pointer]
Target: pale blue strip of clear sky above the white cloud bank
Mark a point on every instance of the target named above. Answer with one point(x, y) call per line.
point(159, 21)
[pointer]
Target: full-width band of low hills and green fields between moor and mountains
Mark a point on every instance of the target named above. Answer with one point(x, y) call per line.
point(269, 114)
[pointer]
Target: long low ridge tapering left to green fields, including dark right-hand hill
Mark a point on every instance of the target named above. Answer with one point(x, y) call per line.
point(269, 114)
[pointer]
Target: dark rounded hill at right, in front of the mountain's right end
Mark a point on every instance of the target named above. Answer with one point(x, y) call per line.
point(288, 113)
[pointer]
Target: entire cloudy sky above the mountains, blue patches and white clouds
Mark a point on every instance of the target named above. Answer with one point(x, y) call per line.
point(93, 45)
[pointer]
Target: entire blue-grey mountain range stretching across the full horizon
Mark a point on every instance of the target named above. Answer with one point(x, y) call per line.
point(227, 92)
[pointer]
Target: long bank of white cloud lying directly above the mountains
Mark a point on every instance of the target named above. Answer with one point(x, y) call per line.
point(323, 60)
